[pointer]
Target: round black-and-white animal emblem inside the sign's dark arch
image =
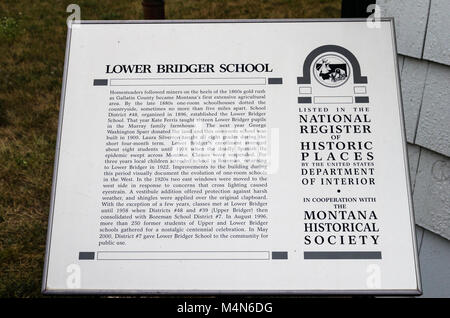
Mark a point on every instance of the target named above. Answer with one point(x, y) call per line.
point(331, 69)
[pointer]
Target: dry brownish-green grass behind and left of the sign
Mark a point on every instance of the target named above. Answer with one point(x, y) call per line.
point(32, 43)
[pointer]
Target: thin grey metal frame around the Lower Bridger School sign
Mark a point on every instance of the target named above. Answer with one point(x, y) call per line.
point(46, 291)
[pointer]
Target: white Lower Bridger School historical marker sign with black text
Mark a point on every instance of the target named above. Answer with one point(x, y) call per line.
point(244, 156)
